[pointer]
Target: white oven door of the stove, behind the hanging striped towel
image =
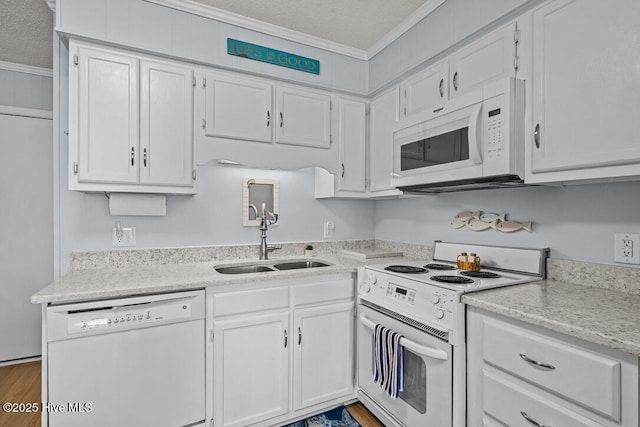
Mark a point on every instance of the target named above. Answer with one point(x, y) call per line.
point(427, 396)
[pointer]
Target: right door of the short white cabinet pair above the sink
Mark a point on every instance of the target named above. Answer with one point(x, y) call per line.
point(304, 117)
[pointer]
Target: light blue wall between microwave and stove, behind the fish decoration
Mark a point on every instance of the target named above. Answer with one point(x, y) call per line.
point(575, 222)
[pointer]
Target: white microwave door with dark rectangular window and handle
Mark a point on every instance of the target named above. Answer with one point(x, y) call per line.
point(439, 149)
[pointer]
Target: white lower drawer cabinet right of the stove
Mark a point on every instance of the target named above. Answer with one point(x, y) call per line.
point(524, 375)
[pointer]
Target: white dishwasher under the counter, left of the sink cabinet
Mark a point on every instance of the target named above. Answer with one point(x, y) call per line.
point(136, 361)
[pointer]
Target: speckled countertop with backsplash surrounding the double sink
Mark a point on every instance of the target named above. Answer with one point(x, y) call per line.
point(112, 274)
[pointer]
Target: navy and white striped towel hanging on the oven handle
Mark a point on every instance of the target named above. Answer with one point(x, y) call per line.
point(388, 369)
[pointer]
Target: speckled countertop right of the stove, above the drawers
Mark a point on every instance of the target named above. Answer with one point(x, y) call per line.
point(602, 316)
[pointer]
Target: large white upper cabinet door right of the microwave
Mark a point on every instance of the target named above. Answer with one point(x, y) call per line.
point(586, 90)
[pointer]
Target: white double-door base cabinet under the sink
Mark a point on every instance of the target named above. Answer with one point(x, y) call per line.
point(279, 350)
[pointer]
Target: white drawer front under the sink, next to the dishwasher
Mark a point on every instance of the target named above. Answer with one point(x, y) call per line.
point(251, 300)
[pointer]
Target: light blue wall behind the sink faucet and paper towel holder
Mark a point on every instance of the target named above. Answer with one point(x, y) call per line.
point(214, 215)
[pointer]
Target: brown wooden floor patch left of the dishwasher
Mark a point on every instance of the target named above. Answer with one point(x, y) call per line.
point(20, 383)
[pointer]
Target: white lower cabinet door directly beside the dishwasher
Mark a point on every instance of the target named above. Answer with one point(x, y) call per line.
point(251, 368)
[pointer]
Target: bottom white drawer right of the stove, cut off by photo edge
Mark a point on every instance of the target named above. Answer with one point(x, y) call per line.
point(511, 405)
